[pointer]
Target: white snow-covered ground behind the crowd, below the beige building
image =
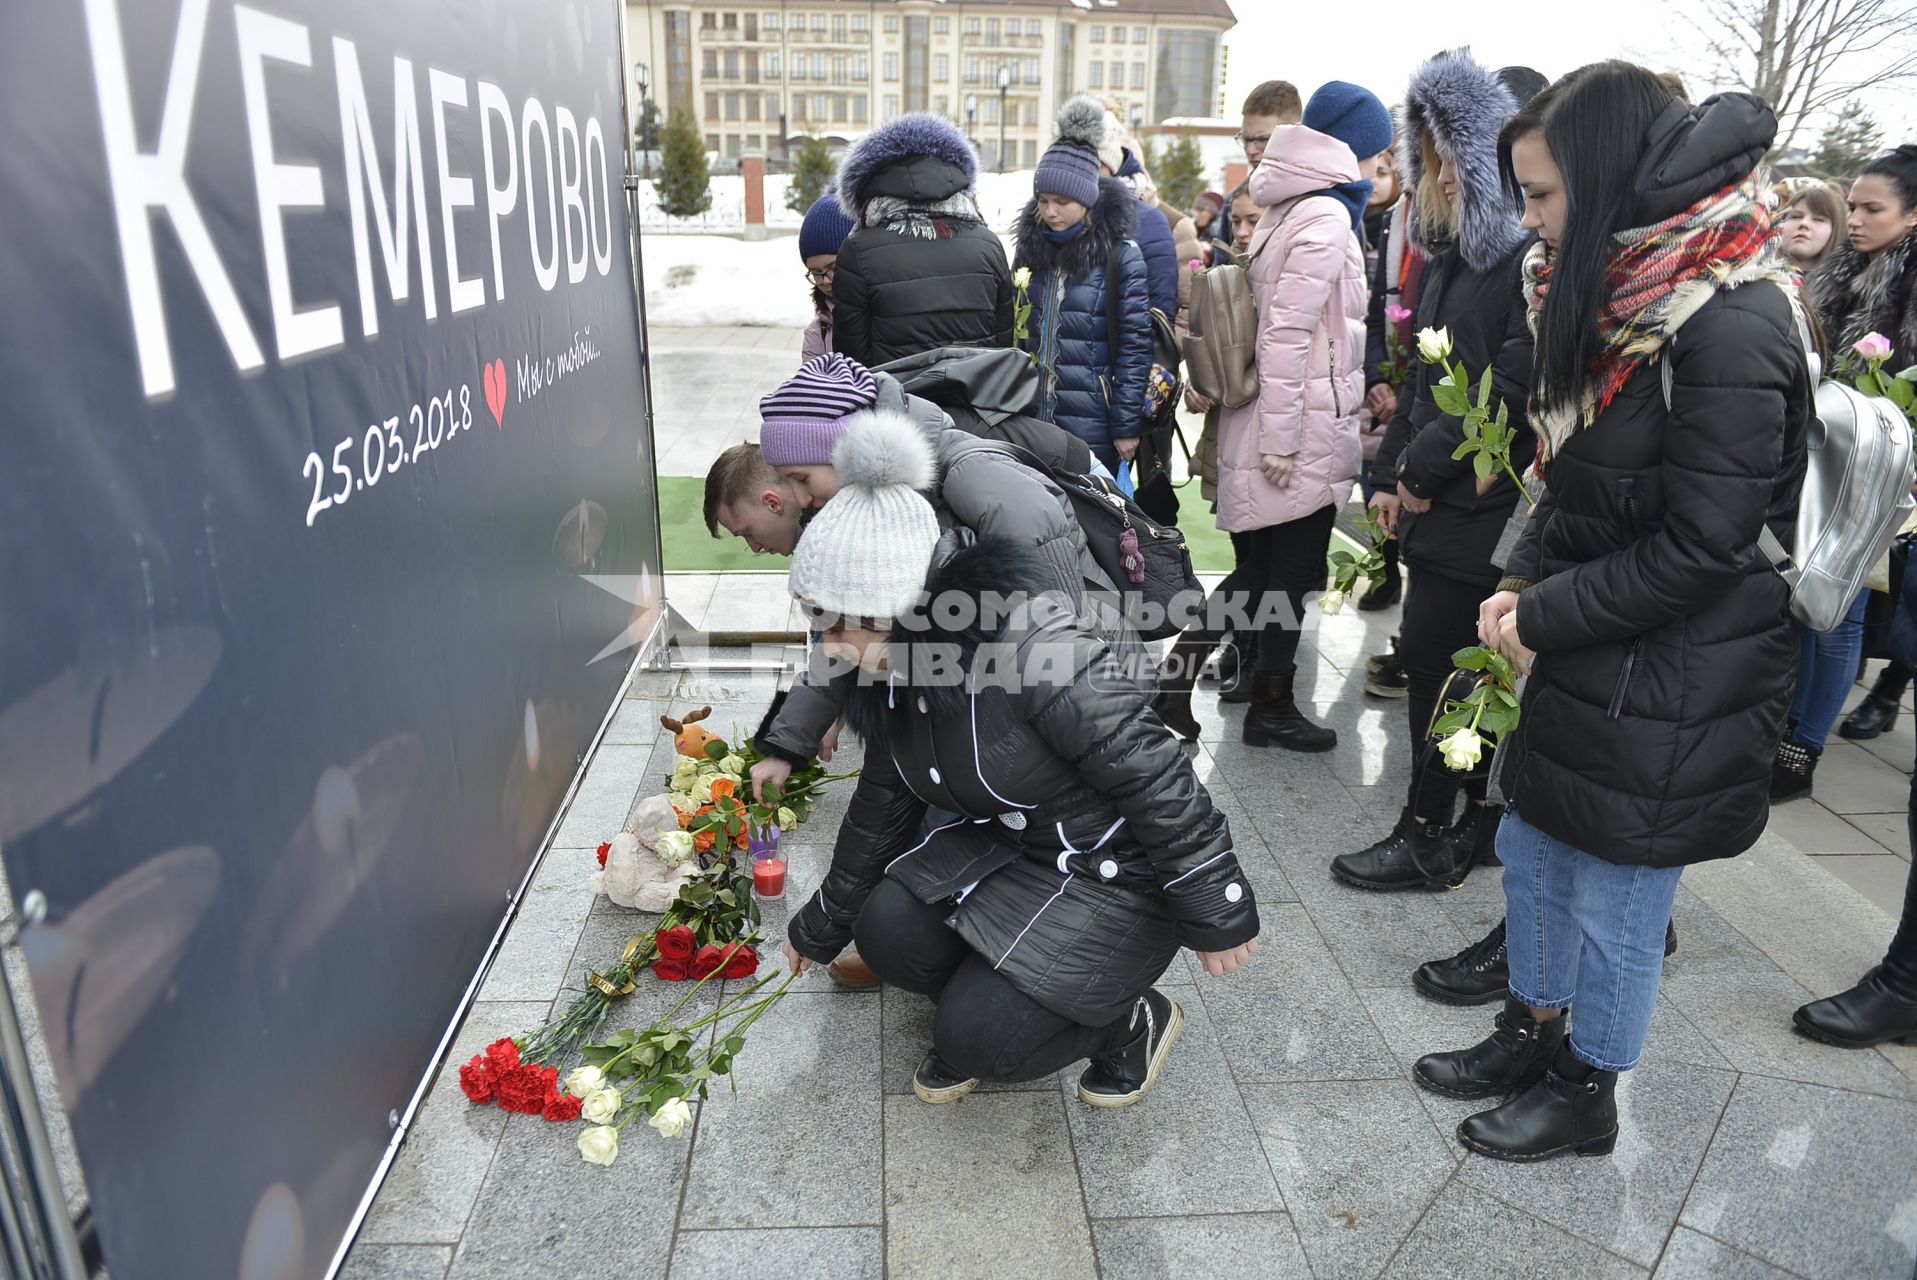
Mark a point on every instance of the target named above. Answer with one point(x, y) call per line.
point(716, 279)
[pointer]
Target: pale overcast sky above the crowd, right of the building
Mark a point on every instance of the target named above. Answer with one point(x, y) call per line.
point(1379, 43)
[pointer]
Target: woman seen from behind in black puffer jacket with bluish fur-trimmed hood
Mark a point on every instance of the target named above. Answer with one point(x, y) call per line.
point(921, 269)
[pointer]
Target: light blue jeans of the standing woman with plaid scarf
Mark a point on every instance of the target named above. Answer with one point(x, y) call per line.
point(1586, 936)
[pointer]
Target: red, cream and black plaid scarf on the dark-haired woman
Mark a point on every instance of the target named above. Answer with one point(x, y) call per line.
point(1657, 279)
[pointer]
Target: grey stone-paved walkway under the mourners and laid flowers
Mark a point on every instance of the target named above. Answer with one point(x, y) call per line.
point(1285, 1139)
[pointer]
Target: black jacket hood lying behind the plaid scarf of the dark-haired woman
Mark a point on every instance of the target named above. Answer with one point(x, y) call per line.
point(1698, 152)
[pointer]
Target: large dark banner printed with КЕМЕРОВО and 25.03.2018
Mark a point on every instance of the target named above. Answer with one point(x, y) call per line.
point(325, 403)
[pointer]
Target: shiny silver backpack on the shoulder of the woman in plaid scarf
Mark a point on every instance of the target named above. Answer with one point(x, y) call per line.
point(1857, 495)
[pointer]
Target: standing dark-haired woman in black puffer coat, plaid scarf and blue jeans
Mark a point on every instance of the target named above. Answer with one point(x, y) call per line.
point(1657, 639)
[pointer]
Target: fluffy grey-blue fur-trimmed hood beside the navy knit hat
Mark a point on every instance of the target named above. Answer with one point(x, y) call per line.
point(1464, 106)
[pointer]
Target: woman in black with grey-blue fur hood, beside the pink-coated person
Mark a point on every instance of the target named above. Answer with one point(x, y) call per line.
point(1448, 522)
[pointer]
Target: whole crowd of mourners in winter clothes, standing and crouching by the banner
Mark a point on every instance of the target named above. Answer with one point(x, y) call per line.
point(1030, 846)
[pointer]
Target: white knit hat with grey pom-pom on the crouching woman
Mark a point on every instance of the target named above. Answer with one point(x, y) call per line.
point(867, 553)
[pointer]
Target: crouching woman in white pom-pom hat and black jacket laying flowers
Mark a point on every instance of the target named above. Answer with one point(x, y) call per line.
point(1084, 852)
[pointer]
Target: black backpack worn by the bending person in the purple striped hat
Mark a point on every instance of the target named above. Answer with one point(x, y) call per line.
point(1147, 560)
